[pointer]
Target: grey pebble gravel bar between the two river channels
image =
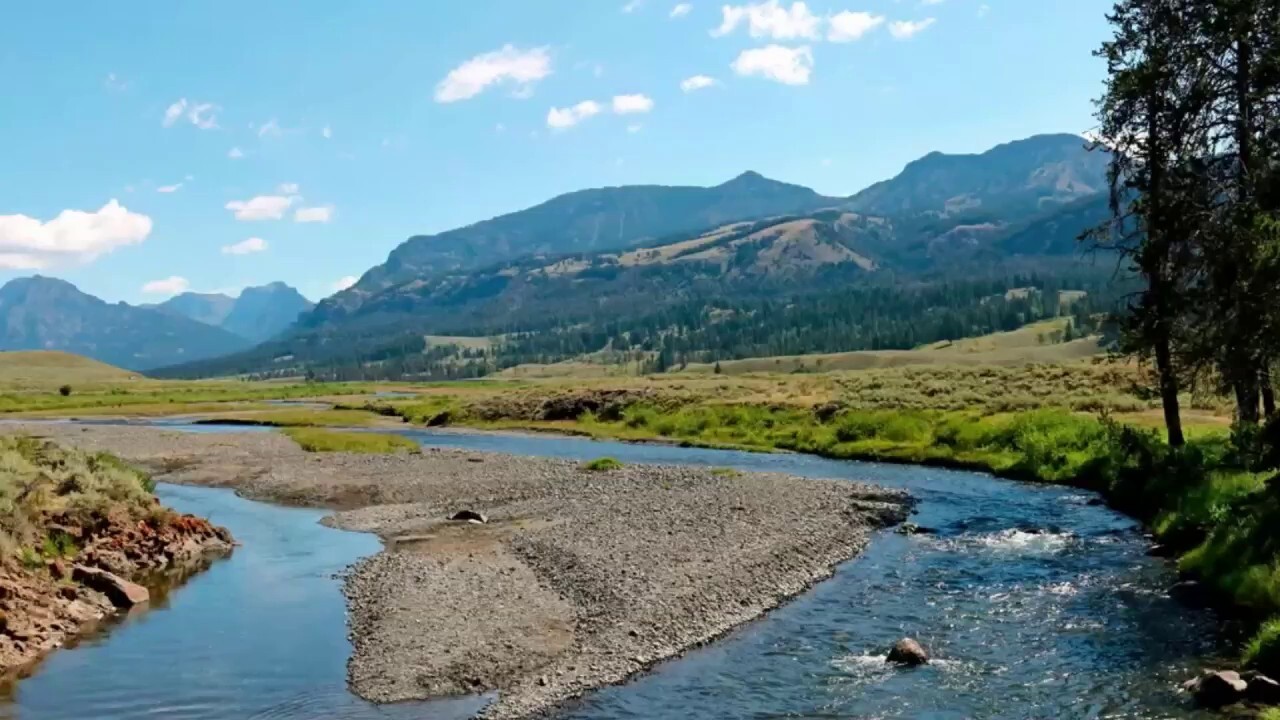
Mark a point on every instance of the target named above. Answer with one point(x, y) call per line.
point(577, 580)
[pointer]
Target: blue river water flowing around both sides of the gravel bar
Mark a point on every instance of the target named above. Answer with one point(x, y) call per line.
point(1035, 604)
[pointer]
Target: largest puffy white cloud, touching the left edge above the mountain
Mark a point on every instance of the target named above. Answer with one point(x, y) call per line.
point(74, 236)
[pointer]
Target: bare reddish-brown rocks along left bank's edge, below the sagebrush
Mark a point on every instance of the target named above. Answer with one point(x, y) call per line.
point(45, 607)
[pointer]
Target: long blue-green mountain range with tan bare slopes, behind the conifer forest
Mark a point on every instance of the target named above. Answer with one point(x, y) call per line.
point(619, 258)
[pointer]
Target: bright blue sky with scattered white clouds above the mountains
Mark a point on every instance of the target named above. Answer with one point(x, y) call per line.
point(150, 148)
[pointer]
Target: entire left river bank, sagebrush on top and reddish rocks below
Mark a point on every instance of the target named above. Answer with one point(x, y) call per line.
point(83, 532)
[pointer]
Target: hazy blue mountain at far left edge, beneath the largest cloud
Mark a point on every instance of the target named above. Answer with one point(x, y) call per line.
point(42, 313)
